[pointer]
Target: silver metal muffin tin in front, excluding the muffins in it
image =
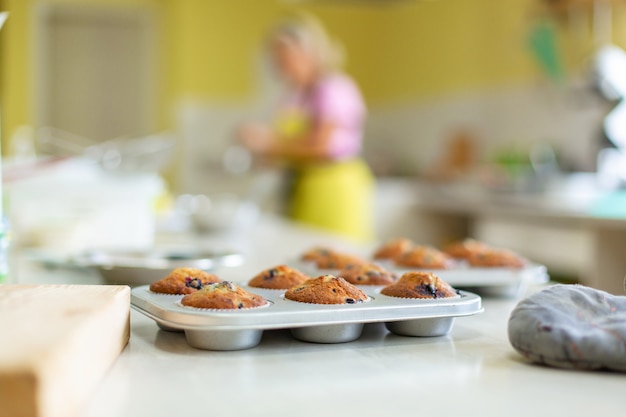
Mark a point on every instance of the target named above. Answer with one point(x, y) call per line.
point(243, 329)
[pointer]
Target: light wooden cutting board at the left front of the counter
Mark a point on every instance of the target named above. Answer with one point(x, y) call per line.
point(56, 343)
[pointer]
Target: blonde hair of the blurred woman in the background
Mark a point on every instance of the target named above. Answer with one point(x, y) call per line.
point(307, 31)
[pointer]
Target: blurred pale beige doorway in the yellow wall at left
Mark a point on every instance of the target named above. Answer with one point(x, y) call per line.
point(94, 70)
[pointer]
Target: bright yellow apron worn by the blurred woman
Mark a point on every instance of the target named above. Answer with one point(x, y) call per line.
point(334, 196)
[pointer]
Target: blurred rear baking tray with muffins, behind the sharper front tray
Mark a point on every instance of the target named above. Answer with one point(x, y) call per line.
point(467, 264)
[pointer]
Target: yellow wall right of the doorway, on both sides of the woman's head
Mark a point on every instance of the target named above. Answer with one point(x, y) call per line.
point(395, 51)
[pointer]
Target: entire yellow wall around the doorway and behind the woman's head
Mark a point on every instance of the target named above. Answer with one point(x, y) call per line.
point(208, 49)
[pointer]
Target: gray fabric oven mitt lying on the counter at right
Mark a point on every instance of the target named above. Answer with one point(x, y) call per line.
point(571, 326)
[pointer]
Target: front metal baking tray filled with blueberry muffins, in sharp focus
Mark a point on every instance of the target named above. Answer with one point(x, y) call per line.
point(222, 315)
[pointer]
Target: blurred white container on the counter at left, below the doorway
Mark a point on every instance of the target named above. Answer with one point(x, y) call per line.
point(75, 206)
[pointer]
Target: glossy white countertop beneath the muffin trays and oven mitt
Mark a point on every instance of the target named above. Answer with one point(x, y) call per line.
point(472, 371)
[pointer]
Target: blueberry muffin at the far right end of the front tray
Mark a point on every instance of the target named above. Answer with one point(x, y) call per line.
point(424, 285)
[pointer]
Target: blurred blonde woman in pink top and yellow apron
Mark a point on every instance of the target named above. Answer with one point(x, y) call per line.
point(317, 132)
